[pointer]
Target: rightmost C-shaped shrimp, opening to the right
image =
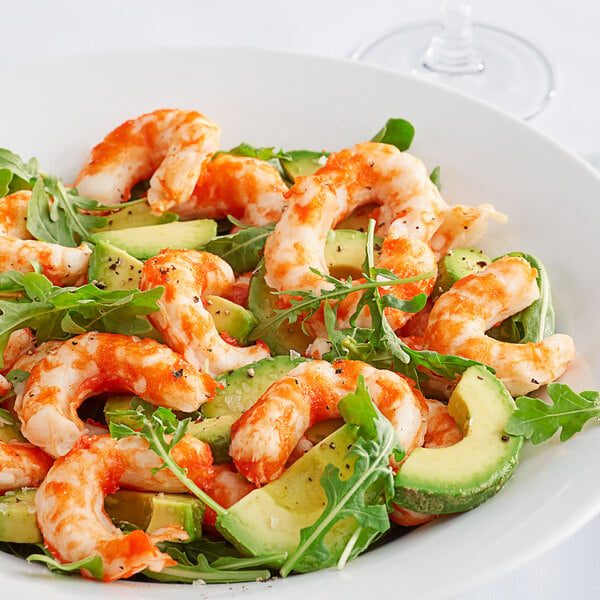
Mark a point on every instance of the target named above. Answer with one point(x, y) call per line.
point(460, 318)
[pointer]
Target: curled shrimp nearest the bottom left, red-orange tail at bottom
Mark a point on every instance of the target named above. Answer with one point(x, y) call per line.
point(70, 513)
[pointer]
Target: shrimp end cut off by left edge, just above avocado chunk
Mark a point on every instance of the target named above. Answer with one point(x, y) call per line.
point(21, 465)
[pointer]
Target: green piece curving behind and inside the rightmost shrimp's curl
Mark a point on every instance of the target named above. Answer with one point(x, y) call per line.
point(535, 322)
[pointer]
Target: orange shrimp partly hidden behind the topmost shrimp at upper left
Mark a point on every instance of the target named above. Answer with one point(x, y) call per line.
point(246, 188)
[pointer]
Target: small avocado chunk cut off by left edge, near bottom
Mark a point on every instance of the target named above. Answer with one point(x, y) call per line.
point(18, 523)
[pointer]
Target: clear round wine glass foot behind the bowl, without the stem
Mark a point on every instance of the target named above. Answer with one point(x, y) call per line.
point(515, 75)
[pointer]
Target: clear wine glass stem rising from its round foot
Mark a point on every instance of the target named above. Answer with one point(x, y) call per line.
point(453, 50)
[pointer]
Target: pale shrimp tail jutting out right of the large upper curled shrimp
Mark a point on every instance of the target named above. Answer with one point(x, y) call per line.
point(463, 226)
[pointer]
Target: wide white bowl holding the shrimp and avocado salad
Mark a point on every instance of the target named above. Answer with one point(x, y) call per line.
point(58, 111)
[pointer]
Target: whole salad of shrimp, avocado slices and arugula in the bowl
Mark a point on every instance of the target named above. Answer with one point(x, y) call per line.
point(230, 365)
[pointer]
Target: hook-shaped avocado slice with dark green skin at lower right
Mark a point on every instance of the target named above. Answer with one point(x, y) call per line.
point(459, 477)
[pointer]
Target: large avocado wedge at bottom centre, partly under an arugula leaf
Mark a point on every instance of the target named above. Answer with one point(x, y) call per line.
point(270, 519)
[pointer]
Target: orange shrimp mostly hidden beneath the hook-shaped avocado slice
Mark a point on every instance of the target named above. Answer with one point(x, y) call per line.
point(442, 431)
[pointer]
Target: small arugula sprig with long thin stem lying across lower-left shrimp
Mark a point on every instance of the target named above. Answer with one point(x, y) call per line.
point(161, 423)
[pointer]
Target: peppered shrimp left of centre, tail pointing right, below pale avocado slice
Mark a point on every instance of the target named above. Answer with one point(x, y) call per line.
point(183, 321)
